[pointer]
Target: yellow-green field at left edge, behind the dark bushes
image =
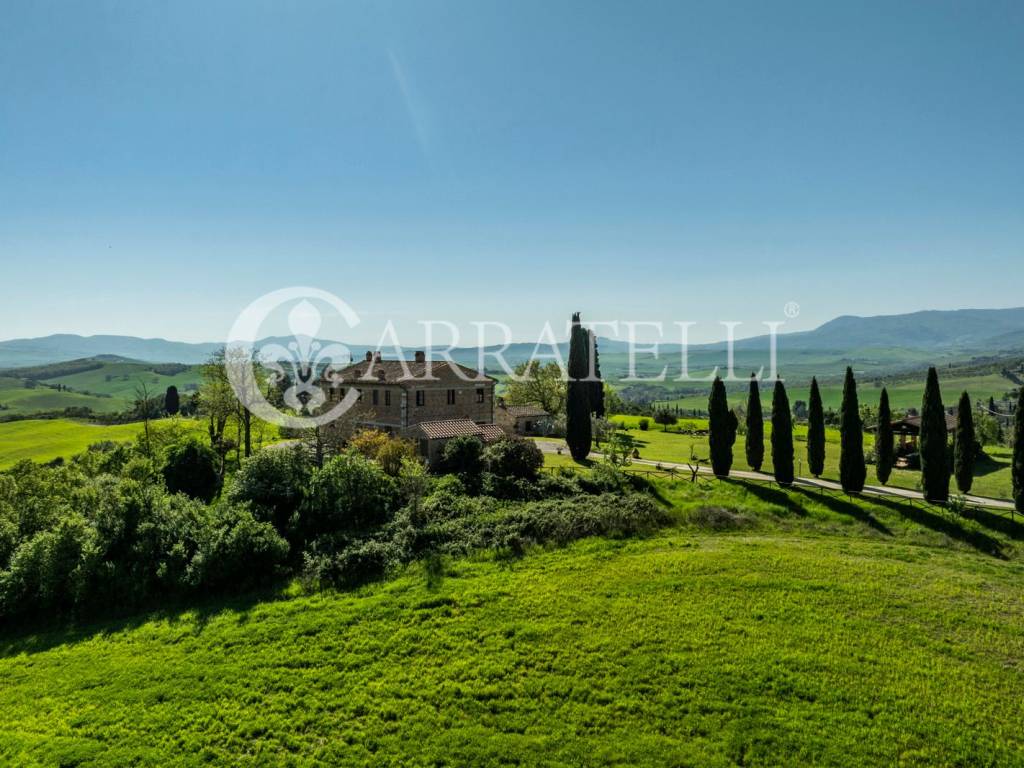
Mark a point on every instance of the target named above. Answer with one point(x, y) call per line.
point(45, 440)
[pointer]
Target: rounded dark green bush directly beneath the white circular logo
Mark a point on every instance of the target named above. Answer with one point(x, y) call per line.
point(275, 483)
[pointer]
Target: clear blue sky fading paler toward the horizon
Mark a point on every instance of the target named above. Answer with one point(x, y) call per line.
point(163, 164)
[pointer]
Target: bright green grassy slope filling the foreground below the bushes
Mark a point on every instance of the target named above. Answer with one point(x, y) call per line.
point(812, 632)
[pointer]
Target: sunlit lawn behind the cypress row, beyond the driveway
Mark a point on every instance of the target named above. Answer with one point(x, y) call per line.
point(993, 476)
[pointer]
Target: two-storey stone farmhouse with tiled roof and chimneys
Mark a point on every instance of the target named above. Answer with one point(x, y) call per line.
point(429, 402)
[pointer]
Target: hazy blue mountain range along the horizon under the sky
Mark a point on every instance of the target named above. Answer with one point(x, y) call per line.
point(960, 332)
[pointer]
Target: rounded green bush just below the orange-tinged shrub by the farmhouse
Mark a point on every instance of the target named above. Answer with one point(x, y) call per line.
point(349, 494)
